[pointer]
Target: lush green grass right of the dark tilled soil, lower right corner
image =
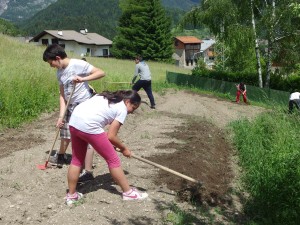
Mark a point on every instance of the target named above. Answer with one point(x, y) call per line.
point(268, 149)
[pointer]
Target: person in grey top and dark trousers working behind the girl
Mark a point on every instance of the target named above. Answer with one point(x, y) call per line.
point(142, 69)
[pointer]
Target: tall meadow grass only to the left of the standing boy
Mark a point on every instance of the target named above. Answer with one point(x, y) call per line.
point(27, 89)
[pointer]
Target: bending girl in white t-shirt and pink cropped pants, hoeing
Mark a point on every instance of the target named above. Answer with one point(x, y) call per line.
point(87, 125)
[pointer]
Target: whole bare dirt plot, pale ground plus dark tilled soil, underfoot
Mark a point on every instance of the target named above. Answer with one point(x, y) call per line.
point(184, 133)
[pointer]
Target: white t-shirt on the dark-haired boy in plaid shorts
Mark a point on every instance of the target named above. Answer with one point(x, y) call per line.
point(65, 76)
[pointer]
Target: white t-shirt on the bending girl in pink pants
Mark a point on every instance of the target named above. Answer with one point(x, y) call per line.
point(94, 114)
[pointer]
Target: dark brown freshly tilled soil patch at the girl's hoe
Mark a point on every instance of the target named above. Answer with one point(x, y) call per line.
point(202, 154)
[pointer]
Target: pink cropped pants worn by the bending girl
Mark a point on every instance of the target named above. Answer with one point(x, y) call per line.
point(99, 142)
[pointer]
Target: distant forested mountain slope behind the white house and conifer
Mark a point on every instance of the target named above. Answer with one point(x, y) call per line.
point(100, 16)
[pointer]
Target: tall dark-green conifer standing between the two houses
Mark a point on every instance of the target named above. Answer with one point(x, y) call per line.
point(143, 29)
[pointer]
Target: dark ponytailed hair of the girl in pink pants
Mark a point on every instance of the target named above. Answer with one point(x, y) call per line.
point(117, 96)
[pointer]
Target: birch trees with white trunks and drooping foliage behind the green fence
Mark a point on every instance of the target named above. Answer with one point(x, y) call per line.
point(274, 22)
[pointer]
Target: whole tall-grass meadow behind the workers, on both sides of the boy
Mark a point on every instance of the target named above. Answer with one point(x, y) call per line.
point(29, 86)
